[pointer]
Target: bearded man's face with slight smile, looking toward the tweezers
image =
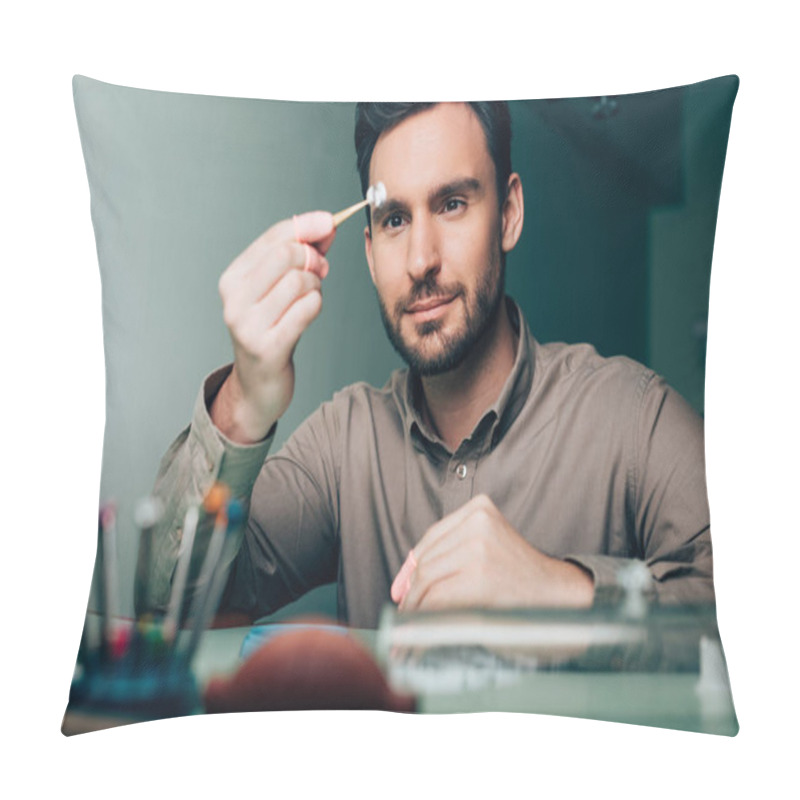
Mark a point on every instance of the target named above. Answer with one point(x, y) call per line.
point(435, 250)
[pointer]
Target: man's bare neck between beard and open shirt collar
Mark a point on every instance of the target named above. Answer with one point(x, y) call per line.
point(455, 401)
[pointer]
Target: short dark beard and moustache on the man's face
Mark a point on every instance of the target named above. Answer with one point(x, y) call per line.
point(436, 351)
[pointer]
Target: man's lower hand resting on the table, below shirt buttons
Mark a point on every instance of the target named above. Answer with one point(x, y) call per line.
point(473, 557)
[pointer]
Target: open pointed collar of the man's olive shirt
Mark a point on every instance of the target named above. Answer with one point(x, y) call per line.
point(500, 415)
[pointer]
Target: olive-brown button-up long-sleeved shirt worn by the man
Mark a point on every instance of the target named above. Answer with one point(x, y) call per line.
point(591, 459)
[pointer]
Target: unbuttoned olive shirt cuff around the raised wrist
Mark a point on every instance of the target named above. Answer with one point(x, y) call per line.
point(216, 456)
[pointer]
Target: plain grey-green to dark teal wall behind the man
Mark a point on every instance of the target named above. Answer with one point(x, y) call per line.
point(181, 184)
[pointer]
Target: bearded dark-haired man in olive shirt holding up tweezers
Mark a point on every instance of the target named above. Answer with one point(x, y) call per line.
point(504, 472)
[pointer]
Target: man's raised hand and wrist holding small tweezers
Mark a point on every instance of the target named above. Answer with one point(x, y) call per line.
point(270, 295)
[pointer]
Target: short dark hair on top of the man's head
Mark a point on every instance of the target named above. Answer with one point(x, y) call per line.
point(373, 119)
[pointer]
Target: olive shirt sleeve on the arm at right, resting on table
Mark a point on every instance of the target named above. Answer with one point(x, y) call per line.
point(667, 504)
